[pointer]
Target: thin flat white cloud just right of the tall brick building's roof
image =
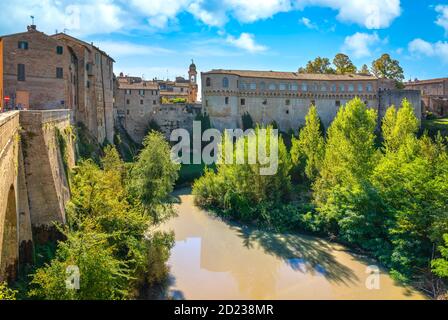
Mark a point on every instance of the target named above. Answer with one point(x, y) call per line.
point(122, 49)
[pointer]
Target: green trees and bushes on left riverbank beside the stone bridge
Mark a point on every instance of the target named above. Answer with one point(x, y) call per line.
point(108, 240)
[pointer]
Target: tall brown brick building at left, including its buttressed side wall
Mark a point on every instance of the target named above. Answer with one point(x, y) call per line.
point(42, 72)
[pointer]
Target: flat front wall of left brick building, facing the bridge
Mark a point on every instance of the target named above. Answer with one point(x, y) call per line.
point(35, 72)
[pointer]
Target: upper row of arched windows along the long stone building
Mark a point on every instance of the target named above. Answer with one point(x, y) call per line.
point(296, 86)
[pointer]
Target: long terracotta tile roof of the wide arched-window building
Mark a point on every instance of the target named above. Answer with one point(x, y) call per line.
point(291, 75)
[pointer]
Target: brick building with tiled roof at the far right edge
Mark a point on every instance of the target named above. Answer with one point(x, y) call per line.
point(434, 94)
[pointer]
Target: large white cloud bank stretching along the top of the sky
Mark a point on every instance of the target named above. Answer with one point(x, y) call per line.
point(104, 16)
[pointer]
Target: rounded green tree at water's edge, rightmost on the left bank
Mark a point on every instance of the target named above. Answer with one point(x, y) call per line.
point(153, 175)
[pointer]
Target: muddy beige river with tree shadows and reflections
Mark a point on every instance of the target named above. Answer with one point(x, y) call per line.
point(213, 259)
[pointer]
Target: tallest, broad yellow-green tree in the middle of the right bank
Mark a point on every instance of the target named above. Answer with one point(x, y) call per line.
point(345, 200)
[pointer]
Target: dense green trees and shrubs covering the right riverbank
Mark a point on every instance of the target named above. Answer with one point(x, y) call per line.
point(390, 201)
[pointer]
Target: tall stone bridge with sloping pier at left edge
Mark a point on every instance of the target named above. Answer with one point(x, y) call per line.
point(36, 150)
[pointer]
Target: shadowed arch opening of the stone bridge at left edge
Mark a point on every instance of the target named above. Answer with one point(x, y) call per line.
point(9, 240)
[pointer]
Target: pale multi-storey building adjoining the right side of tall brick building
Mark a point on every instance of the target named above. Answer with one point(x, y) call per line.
point(134, 104)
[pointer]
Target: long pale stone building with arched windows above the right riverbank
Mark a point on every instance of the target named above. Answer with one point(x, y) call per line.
point(285, 97)
